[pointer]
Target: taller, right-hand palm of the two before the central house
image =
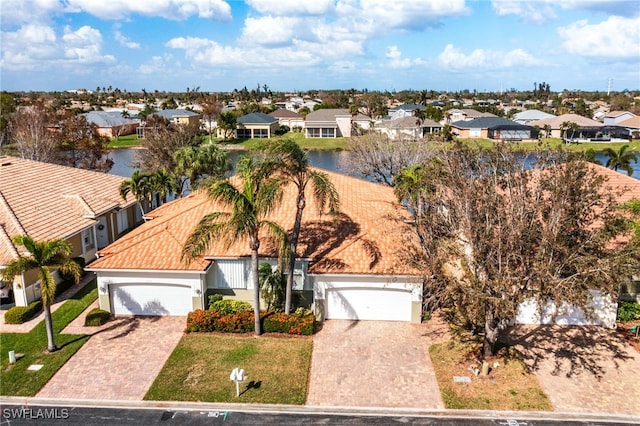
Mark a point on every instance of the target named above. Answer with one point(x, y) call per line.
point(289, 161)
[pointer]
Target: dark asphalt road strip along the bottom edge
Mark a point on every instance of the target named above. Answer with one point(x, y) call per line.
point(43, 415)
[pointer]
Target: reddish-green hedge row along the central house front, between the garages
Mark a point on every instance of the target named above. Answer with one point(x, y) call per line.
point(243, 322)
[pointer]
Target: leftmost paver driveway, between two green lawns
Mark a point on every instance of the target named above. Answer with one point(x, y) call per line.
point(119, 362)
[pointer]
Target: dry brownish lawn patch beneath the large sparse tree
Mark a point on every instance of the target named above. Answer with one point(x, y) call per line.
point(509, 386)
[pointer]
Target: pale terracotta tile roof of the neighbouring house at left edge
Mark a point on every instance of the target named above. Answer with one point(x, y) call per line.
point(48, 201)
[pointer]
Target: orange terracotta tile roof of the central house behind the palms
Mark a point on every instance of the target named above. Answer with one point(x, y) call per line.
point(367, 238)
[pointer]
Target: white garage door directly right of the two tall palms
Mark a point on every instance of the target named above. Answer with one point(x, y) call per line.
point(366, 303)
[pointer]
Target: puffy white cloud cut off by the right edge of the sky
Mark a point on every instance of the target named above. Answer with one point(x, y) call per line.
point(617, 37)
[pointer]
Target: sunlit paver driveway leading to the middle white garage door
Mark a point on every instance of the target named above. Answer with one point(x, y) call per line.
point(374, 364)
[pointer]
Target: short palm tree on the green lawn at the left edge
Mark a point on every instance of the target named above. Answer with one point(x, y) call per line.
point(44, 256)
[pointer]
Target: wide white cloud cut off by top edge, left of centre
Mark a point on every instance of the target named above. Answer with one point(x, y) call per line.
point(168, 9)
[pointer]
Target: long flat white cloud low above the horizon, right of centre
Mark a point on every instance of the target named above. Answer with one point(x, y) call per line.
point(454, 58)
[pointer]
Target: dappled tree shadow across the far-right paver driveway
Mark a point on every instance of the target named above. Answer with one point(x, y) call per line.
point(573, 350)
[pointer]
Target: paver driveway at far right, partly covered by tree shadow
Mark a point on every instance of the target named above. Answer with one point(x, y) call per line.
point(582, 369)
